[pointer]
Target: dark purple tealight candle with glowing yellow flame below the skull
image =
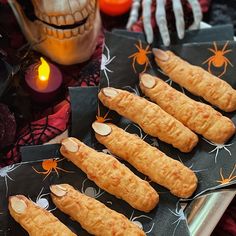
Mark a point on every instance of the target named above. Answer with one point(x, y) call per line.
point(43, 80)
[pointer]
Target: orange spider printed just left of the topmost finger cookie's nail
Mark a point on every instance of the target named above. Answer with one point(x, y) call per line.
point(141, 56)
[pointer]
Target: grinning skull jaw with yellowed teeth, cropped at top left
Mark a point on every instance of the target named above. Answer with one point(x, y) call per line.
point(64, 30)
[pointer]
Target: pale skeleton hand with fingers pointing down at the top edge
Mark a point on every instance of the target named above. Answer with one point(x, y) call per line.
point(161, 18)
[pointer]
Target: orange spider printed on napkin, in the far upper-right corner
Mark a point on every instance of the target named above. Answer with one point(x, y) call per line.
point(218, 60)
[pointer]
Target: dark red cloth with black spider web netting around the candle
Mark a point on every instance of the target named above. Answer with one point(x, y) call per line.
point(39, 125)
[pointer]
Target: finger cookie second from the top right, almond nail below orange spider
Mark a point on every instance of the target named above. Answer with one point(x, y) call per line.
point(199, 117)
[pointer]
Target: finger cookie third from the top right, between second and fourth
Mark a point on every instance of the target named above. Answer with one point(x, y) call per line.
point(150, 117)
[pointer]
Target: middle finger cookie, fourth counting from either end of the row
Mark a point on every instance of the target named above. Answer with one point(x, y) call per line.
point(172, 174)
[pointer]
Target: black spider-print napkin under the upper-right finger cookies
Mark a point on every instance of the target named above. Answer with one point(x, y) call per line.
point(205, 160)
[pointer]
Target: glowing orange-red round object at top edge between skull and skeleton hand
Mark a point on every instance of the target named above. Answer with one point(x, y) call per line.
point(115, 7)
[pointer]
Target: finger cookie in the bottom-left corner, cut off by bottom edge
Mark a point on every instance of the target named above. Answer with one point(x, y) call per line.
point(35, 220)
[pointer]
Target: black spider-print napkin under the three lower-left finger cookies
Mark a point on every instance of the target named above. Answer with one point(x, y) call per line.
point(166, 219)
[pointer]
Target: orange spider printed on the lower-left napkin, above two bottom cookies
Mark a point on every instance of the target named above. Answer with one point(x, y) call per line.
point(49, 166)
